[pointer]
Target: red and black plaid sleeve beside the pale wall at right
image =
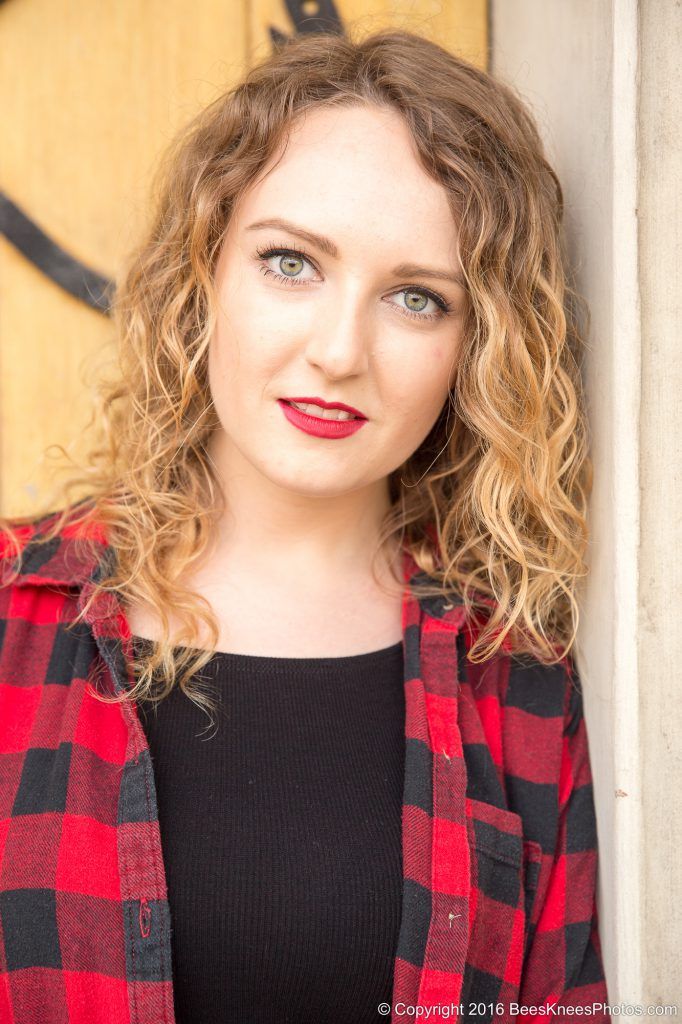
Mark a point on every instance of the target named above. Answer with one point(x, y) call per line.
point(564, 962)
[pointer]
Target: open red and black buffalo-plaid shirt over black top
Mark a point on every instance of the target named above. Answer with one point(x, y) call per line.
point(499, 834)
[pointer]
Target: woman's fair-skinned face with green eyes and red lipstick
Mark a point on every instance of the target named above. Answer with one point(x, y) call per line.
point(359, 303)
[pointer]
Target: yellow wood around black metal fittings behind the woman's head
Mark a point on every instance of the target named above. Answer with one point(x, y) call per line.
point(92, 95)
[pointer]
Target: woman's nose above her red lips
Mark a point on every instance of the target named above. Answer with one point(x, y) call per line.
point(340, 340)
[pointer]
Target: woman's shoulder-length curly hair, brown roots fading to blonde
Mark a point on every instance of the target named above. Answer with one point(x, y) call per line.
point(493, 504)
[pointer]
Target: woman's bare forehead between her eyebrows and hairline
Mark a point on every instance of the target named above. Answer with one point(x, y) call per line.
point(354, 173)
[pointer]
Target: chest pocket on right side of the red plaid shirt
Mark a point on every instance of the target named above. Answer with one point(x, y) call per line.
point(505, 870)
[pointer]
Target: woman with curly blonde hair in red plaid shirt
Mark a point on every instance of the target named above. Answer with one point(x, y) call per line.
point(343, 481)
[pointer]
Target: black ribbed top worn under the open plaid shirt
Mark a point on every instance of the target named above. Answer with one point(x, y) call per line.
point(281, 830)
